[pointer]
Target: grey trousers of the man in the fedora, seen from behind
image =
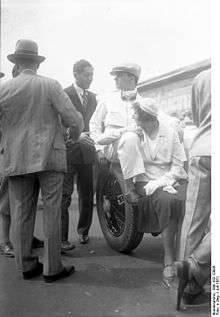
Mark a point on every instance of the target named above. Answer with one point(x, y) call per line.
point(23, 196)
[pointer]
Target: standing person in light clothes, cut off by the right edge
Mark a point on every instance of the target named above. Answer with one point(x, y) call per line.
point(195, 240)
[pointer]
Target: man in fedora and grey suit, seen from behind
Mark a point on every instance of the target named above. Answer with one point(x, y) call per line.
point(32, 108)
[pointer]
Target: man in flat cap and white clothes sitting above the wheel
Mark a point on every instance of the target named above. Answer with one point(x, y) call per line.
point(114, 116)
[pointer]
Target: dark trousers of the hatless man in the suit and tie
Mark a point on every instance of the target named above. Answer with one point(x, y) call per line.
point(84, 173)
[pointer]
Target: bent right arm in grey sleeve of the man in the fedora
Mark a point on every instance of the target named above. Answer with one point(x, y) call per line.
point(63, 105)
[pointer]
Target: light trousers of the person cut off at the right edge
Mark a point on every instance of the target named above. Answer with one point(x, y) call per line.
point(195, 239)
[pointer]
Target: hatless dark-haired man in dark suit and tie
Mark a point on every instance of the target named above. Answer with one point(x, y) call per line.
point(81, 156)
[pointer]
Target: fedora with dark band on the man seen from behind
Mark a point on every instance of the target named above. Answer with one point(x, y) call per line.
point(26, 49)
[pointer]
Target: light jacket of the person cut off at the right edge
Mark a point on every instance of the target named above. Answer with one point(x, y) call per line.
point(201, 109)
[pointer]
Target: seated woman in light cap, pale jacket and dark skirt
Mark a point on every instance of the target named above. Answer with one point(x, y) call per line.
point(163, 157)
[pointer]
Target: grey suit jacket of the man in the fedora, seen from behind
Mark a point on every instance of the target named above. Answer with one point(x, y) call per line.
point(31, 110)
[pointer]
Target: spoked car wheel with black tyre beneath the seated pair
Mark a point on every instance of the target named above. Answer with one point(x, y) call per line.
point(118, 219)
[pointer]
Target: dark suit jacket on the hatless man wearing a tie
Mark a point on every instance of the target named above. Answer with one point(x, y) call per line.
point(80, 152)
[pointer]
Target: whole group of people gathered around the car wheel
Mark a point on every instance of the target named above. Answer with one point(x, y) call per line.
point(51, 136)
